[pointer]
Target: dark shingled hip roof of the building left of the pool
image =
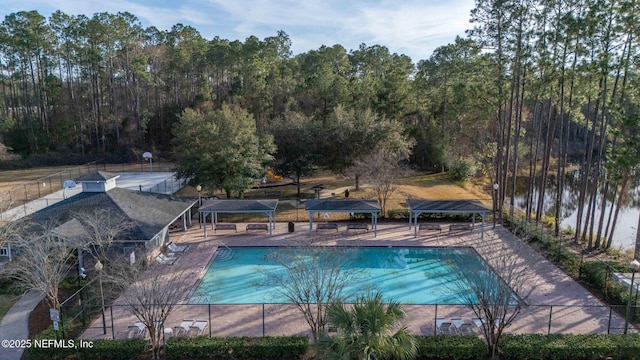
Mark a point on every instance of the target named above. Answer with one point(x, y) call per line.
point(149, 212)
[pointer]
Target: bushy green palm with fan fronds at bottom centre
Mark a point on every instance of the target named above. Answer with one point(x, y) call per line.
point(370, 329)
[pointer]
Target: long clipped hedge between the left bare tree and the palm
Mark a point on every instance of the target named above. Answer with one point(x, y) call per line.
point(285, 347)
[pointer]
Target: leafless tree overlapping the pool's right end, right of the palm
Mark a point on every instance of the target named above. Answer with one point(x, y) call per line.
point(497, 292)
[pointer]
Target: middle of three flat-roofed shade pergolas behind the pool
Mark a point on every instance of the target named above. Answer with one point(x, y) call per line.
point(347, 205)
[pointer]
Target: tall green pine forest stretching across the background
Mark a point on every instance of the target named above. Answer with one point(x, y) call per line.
point(537, 90)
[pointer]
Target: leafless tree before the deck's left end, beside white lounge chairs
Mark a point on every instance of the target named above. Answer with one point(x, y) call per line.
point(152, 298)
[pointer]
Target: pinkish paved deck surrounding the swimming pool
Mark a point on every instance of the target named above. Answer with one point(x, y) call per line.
point(553, 294)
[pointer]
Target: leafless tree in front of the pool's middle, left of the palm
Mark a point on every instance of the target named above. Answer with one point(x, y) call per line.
point(314, 276)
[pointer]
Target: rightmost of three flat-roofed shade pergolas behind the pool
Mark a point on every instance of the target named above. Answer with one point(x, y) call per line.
point(419, 206)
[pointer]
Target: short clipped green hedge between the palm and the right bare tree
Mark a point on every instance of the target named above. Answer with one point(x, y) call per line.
point(451, 347)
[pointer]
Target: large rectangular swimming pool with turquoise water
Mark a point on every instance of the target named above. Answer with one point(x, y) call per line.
point(409, 275)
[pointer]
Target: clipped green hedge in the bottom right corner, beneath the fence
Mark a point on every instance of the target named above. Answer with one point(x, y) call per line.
point(570, 346)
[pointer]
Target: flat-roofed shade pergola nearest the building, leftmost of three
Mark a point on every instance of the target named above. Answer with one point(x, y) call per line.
point(238, 206)
